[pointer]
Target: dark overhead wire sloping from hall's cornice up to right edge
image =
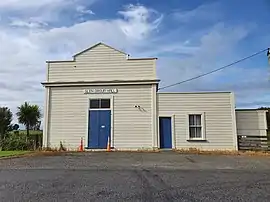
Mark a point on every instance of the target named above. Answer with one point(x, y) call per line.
point(215, 70)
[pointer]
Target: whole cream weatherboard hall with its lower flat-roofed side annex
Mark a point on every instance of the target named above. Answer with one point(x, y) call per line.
point(103, 96)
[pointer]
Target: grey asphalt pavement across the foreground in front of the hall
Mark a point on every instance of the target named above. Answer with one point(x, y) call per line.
point(126, 176)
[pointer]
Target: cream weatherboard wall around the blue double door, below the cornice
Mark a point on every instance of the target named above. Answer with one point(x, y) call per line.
point(68, 116)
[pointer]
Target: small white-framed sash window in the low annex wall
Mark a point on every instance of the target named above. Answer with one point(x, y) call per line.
point(195, 126)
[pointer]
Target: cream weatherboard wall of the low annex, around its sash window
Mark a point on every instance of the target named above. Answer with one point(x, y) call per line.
point(218, 110)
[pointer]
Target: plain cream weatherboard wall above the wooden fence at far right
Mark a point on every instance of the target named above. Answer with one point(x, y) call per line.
point(251, 122)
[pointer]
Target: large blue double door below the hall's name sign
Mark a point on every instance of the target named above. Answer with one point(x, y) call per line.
point(99, 128)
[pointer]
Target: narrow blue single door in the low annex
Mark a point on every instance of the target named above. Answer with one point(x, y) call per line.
point(165, 132)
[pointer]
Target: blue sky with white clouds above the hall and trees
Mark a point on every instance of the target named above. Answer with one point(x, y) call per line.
point(188, 37)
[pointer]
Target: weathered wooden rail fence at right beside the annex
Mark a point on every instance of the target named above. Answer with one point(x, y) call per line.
point(253, 143)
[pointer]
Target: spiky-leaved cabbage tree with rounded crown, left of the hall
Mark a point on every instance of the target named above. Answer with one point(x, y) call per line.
point(28, 115)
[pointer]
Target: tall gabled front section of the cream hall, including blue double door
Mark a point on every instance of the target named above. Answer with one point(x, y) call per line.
point(94, 97)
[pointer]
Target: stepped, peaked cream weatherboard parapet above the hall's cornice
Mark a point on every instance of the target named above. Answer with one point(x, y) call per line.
point(102, 63)
